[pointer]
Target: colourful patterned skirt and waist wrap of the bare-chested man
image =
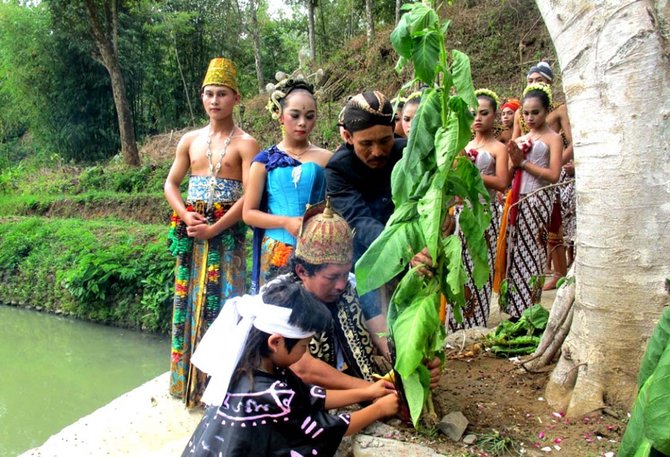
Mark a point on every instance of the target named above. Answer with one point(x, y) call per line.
point(208, 272)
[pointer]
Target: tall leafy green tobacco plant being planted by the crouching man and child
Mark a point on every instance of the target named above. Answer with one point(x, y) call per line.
point(429, 179)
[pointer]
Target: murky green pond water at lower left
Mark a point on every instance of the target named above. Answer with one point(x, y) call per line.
point(54, 370)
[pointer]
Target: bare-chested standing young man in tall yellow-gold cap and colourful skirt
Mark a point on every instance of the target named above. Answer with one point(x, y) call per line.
point(206, 234)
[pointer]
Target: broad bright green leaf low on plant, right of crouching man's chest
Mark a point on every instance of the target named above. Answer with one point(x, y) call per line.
point(413, 327)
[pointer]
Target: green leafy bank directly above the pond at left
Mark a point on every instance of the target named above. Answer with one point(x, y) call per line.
point(104, 271)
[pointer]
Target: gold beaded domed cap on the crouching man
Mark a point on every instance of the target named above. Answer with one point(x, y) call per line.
point(324, 237)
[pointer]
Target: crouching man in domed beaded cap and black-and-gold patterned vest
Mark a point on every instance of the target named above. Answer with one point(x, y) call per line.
point(342, 357)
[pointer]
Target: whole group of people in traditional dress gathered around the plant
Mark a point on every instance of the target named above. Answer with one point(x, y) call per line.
point(254, 360)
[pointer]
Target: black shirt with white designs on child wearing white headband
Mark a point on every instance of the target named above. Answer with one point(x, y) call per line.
point(271, 415)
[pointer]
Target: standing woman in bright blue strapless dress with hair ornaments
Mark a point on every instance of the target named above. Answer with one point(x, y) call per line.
point(283, 180)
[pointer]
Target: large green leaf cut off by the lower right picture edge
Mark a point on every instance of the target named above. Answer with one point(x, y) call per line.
point(657, 411)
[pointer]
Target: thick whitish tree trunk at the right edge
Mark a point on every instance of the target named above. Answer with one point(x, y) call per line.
point(616, 78)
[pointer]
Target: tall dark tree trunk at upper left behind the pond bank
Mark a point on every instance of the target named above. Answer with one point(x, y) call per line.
point(104, 31)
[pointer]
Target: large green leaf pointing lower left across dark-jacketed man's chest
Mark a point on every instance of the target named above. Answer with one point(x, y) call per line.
point(387, 256)
